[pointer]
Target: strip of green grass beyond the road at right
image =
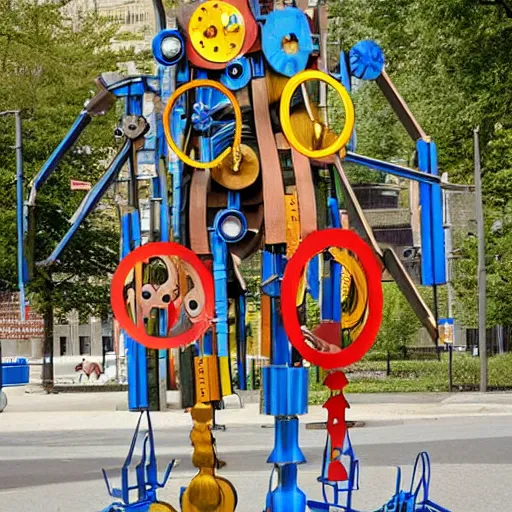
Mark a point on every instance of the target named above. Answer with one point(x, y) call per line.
point(418, 376)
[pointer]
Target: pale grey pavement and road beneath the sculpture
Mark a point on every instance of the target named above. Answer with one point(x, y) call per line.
point(52, 449)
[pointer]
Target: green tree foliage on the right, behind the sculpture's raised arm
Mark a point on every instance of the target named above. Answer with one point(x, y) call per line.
point(450, 61)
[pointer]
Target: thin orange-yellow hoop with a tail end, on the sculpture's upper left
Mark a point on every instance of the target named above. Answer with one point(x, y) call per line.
point(238, 124)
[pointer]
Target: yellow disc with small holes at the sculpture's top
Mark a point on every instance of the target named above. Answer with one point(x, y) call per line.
point(217, 31)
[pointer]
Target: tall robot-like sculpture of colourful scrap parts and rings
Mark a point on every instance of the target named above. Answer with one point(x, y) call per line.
point(238, 148)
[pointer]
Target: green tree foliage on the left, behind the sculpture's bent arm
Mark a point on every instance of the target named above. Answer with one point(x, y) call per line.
point(48, 66)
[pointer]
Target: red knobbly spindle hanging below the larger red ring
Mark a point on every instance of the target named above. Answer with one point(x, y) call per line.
point(336, 425)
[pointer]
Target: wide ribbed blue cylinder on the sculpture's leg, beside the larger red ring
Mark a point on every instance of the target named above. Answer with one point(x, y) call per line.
point(285, 391)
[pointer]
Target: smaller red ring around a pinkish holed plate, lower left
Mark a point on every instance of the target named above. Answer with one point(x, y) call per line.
point(117, 299)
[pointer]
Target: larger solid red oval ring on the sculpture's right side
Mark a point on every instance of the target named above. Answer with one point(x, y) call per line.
point(312, 245)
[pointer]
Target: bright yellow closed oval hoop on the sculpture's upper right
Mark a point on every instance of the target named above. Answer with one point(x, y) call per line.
point(286, 98)
